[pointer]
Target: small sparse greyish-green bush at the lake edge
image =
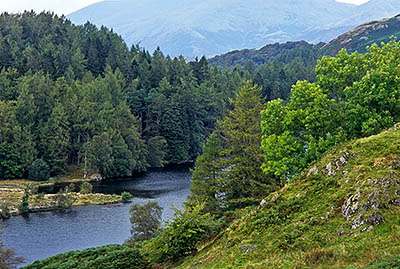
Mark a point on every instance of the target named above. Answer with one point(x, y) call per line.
point(145, 220)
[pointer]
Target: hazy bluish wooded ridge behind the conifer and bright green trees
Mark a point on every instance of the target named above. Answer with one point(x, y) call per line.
point(275, 67)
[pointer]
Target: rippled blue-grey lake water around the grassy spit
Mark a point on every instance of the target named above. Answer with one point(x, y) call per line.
point(42, 235)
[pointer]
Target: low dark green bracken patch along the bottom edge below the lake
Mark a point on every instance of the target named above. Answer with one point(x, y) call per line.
point(112, 256)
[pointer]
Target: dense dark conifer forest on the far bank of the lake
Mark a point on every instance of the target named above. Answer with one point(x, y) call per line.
point(77, 95)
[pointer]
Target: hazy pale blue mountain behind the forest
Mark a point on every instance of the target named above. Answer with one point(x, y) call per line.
point(208, 27)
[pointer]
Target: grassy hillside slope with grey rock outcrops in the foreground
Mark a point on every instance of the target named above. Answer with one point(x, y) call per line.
point(343, 211)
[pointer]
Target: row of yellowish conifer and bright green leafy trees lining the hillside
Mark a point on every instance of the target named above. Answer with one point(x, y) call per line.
point(258, 147)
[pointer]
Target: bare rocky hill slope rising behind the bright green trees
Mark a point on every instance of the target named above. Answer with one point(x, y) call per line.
point(365, 35)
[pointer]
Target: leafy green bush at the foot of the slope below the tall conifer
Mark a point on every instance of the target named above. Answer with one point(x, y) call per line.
point(181, 237)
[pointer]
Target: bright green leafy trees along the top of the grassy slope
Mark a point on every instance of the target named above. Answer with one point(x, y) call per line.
point(354, 96)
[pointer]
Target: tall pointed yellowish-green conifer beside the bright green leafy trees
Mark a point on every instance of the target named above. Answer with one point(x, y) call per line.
point(228, 174)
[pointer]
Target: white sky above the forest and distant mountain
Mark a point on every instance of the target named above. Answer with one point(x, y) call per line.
point(67, 6)
